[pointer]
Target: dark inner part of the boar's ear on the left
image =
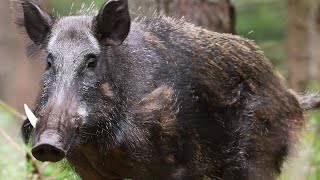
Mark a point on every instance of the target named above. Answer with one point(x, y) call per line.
point(36, 22)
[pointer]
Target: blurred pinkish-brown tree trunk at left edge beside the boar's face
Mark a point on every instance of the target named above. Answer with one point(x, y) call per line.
point(19, 78)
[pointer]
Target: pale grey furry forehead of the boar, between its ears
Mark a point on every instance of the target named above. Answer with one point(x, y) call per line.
point(72, 39)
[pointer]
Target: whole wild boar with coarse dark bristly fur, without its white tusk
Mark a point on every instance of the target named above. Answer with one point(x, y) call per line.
point(156, 99)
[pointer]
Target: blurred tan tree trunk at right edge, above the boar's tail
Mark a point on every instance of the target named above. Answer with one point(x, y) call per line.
point(303, 43)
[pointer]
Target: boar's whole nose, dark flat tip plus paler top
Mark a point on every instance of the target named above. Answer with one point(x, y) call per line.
point(49, 148)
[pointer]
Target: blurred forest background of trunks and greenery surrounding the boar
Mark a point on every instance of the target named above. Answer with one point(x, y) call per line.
point(288, 32)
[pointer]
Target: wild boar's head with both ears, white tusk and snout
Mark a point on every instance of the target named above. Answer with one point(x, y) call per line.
point(74, 88)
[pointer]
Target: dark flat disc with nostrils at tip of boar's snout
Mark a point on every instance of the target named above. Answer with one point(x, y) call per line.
point(48, 152)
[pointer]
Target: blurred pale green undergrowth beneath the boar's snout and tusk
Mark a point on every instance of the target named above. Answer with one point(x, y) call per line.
point(15, 164)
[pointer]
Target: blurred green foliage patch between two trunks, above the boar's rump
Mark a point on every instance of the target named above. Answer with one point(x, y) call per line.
point(265, 18)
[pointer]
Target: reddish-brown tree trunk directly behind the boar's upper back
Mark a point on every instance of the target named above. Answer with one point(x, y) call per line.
point(215, 15)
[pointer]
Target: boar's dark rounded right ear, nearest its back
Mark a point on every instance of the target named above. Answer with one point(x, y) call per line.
point(112, 24)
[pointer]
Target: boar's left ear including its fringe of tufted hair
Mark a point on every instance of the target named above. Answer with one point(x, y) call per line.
point(32, 21)
